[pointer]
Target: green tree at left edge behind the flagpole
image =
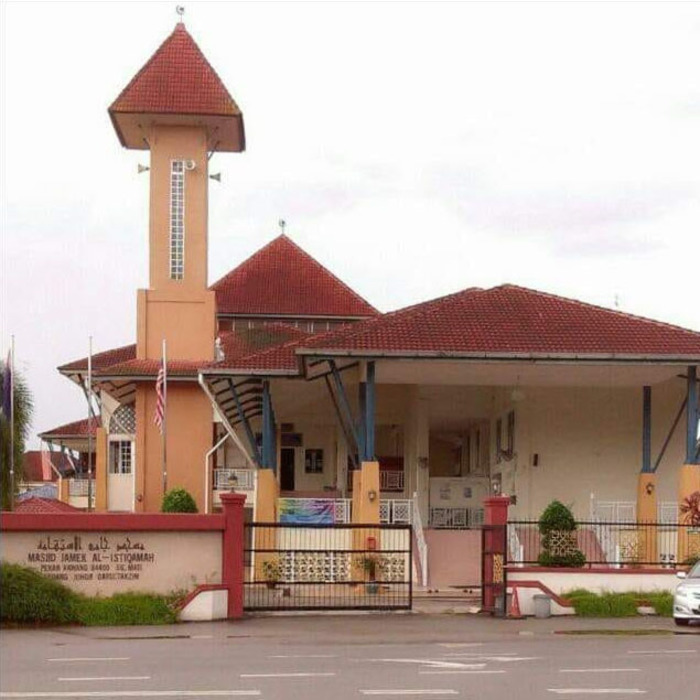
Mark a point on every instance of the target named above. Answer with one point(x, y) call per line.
point(23, 408)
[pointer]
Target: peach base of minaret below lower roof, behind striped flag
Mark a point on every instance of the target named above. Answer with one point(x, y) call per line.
point(189, 435)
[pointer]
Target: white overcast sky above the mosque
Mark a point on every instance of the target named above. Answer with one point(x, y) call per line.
point(415, 149)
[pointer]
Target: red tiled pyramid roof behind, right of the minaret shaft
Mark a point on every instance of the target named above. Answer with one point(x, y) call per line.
point(282, 279)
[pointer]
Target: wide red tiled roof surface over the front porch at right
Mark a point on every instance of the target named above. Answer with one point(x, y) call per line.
point(511, 320)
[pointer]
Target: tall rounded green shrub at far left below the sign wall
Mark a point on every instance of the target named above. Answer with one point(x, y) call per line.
point(29, 597)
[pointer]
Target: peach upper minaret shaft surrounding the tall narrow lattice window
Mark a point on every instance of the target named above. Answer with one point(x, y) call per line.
point(178, 143)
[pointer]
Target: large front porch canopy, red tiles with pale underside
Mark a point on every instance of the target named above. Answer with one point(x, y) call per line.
point(512, 337)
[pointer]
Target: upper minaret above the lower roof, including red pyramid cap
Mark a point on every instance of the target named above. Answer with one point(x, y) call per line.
point(177, 108)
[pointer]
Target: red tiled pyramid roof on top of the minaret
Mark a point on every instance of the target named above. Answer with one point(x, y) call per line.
point(177, 79)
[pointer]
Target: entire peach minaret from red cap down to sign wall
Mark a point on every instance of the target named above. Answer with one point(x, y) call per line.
point(177, 108)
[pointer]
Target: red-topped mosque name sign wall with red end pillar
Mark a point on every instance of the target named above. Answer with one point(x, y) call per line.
point(103, 554)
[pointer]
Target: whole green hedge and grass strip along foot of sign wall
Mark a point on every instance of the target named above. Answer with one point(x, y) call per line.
point(27, 597)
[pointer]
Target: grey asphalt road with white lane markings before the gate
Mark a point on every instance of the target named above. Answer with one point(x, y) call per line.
point(355, 657)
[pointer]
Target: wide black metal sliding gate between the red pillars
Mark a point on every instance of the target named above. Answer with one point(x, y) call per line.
point(328, 567)
